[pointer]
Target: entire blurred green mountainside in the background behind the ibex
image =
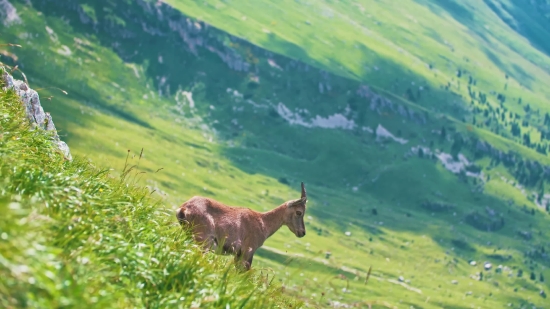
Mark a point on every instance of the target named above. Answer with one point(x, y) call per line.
point(405, 133)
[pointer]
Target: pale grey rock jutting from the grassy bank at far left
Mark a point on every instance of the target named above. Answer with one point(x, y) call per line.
point(35, 113)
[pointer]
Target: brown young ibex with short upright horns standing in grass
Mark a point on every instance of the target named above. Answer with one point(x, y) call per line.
point(239, 231)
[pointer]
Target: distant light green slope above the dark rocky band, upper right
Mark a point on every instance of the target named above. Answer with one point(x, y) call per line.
point(390, 45)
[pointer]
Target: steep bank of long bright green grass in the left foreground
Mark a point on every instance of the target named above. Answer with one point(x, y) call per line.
point(73, 236)
